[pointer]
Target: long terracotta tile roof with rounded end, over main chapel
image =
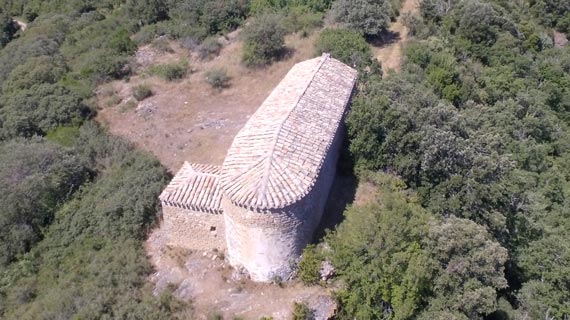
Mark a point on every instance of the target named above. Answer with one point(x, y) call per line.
point(277, 156)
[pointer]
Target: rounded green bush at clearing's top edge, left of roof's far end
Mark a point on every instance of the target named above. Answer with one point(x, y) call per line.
point(264, 40)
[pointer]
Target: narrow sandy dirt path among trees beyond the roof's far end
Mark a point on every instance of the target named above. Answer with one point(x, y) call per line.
point(390, 53)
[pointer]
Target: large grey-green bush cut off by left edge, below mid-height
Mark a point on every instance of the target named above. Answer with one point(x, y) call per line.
point(36, 178)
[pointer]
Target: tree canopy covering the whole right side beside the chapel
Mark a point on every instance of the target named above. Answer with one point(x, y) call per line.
point(474, 129)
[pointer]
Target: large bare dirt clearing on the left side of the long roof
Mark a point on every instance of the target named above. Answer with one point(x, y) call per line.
point(188, 120)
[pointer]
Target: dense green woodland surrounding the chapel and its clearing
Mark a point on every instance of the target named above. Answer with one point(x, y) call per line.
point(468, 147)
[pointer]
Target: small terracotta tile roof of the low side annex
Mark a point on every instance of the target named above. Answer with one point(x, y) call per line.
point(195, 187)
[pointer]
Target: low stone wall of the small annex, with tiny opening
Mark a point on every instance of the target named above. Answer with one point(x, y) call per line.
point(193, 230)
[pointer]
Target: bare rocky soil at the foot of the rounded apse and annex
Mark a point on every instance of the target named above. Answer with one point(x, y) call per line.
point(215, 288)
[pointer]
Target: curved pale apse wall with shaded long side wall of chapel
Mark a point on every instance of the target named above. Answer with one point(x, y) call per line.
point(267, 244)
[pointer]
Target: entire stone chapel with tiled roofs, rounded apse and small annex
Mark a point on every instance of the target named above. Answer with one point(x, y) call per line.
point(264, 203)
